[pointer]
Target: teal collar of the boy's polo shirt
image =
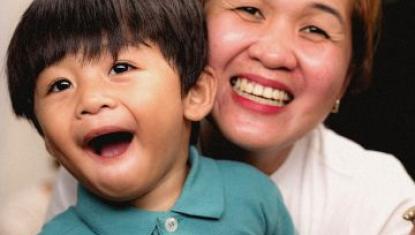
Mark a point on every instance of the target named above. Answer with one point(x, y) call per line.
point(202, 196)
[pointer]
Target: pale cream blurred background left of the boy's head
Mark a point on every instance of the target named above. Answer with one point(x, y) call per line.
point(23, 160)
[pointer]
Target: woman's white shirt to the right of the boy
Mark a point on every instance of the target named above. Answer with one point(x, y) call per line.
point(331, 185)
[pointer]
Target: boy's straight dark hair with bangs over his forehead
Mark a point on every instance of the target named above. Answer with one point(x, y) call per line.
point(51, 29)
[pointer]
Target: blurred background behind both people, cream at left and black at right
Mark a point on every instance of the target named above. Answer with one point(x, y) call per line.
point(382, 118)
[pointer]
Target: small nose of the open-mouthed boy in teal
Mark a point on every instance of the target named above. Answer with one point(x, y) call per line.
point(93, 99)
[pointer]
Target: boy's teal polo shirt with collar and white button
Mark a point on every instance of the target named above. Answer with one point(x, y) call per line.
point(218, 197)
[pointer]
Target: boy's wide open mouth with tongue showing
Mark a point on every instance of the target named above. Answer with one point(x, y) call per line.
point(110, 144)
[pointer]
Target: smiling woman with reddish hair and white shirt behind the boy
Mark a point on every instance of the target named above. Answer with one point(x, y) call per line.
point(311, 53)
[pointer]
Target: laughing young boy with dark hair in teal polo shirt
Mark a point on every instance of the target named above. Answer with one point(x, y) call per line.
point(113, 86)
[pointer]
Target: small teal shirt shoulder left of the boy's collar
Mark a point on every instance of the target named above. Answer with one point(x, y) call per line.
point(67, 222)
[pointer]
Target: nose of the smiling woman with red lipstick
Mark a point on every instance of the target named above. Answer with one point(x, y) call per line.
point(274, 49)
